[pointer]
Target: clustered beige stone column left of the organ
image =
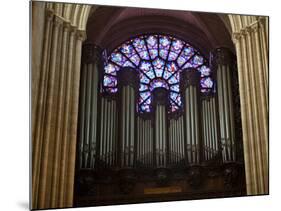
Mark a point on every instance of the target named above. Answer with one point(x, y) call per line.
point(54, 126)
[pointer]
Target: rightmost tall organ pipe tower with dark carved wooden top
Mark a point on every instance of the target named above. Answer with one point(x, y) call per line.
point(222, 63)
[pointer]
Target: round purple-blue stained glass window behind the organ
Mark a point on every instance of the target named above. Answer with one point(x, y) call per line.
point(159, 59)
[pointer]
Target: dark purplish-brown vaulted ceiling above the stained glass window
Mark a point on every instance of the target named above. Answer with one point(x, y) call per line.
point(109, 26)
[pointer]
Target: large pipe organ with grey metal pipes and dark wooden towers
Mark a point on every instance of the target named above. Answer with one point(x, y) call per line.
point(113, 134)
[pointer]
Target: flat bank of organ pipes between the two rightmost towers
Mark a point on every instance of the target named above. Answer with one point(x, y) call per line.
point(210, 127)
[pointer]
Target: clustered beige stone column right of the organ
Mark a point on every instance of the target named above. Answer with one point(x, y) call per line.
point(252, 58)
